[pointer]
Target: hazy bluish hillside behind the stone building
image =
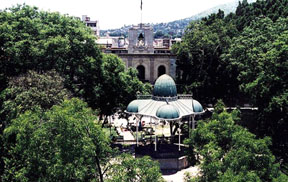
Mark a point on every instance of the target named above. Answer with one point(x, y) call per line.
point(176, 28)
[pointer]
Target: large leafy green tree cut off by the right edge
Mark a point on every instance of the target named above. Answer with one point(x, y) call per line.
point(259, 56)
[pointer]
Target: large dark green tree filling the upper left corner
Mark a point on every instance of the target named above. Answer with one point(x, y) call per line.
point(37, 40)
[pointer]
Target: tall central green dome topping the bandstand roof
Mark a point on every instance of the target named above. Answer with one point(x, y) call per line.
point(165, 87)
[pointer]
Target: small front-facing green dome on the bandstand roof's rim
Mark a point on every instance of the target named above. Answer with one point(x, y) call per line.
point(167, 112)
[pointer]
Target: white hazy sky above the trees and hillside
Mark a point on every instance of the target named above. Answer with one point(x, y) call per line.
point(116, 13)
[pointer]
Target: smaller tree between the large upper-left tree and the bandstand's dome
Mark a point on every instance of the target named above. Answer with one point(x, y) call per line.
point(119, 86)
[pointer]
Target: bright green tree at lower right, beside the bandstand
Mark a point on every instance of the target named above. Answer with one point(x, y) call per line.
point(231, 153)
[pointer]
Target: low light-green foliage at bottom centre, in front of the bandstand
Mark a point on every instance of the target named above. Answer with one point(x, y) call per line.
point(130, 169)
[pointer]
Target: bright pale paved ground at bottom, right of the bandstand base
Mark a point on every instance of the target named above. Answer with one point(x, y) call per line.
point(179, 176)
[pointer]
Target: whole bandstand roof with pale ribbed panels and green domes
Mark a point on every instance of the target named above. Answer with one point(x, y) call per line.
point(165, 104)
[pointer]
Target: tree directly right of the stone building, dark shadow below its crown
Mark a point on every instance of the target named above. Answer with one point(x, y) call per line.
point(199, 66)
